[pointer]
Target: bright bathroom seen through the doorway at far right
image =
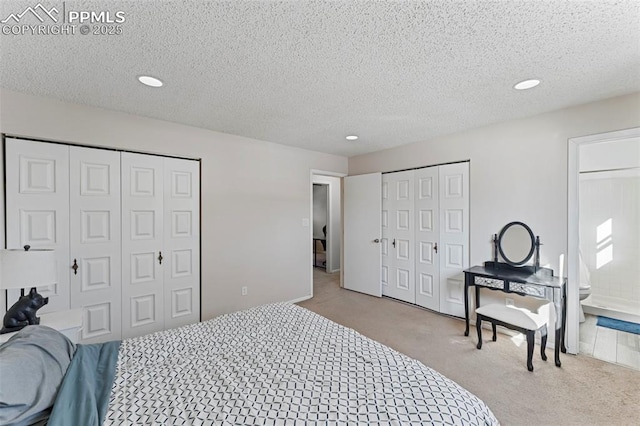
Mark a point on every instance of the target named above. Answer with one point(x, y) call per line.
point(609, 249)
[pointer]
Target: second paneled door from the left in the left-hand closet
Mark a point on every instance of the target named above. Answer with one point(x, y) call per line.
point(95, 242)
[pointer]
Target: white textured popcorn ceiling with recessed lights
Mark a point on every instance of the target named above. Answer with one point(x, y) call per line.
point(308, 73)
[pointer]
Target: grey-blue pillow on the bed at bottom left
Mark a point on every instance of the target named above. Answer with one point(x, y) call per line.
point(32, 365)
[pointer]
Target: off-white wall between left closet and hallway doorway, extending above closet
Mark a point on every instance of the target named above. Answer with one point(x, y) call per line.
point(254, 193)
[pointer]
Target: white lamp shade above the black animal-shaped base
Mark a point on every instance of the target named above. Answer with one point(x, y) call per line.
point(23, 269)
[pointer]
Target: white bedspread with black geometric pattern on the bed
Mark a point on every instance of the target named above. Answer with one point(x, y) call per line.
point(279, 364)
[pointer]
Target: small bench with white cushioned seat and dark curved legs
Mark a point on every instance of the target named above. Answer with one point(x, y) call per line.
point(514, 318)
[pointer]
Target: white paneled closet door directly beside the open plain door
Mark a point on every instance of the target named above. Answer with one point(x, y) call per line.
point(398, 236)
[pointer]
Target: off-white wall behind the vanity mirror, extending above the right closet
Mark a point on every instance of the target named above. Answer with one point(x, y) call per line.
point(518, 169)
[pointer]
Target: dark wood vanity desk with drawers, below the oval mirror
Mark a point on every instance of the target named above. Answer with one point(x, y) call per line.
point(525, 281)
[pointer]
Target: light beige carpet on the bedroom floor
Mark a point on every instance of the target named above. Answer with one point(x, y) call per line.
point(584, 391)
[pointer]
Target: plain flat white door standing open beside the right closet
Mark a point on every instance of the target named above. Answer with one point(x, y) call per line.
point(362, 206)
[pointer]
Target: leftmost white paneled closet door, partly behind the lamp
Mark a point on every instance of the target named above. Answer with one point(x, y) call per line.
point(37, 211)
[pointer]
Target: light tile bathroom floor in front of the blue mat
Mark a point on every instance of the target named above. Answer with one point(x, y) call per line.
point(609, 345)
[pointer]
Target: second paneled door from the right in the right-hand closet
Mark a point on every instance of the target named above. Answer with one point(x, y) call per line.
point(427, 236)
